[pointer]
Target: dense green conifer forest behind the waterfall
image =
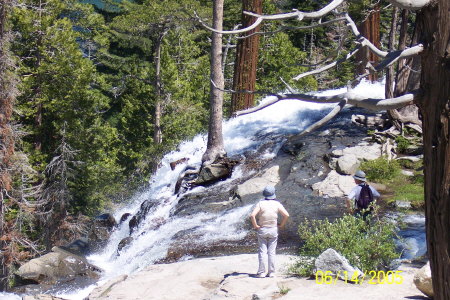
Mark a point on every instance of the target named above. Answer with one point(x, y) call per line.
point(104, 88)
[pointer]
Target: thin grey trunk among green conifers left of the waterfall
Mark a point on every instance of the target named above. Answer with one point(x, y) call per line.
point(157, 134)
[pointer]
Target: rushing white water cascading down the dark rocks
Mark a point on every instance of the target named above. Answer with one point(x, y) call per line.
point(152, 238)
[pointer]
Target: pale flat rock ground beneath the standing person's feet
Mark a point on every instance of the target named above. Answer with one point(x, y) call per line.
point(232, 277)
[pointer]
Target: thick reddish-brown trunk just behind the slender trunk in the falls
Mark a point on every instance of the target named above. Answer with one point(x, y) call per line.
point(246, 60)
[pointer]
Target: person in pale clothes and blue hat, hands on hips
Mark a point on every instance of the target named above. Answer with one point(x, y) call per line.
point(267, 211)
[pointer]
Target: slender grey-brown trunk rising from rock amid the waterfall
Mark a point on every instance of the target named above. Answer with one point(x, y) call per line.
point(215, 148)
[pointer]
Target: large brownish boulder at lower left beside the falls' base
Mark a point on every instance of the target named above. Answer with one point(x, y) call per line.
point(57, 266)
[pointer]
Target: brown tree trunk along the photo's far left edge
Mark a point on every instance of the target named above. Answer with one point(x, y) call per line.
point(7, 96)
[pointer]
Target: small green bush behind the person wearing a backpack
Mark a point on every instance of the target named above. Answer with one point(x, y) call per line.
point(380, 169)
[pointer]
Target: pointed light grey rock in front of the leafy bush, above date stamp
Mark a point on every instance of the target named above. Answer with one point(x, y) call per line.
point(331, 260)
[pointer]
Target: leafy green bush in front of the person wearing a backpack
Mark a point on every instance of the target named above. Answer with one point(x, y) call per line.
point(366, 245)
